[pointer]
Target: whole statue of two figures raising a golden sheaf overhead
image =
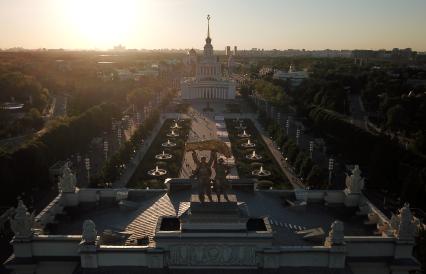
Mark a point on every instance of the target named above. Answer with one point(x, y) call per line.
point(204, 168)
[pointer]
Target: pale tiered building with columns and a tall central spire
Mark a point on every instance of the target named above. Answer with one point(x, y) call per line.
point(208, 82)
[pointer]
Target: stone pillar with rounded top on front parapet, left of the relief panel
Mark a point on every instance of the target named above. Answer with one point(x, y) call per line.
point(88, 245)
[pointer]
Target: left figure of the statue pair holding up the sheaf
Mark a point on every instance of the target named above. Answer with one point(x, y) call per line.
point(204, 173)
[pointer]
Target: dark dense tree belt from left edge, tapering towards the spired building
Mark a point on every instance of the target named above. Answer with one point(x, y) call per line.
point(27, 167)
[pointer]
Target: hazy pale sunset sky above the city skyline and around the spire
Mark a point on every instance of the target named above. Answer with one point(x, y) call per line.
point(267, 24)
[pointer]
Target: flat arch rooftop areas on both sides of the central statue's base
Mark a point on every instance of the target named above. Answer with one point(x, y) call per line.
point(139, 218)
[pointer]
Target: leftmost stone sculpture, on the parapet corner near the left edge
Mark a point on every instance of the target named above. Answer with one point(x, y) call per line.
point(22, 221)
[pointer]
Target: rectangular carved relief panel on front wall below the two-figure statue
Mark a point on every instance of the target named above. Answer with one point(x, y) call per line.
point(212, 255)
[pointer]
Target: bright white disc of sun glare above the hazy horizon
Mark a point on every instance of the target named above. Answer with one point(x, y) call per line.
point(103, 23)
